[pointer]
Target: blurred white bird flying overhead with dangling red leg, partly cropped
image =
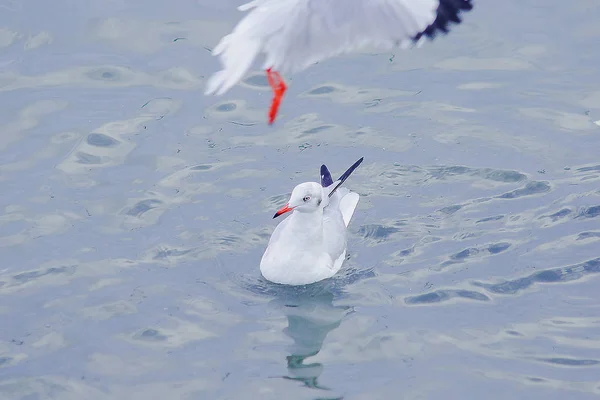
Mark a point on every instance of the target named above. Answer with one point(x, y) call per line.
point(294, 34)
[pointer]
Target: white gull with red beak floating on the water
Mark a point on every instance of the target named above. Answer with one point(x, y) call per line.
point(310, 245)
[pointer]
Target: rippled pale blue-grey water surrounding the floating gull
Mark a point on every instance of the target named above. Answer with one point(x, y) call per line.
point(135, 210)
